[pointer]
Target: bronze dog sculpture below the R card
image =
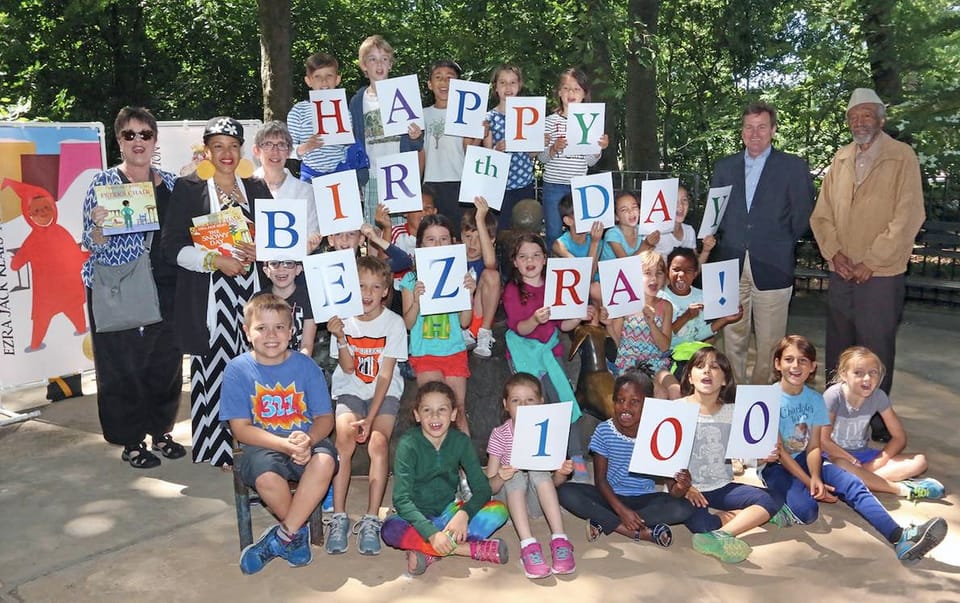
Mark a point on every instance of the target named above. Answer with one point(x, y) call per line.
point(595, 383)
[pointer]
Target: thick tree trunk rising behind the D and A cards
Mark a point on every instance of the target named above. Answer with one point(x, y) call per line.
point(640, 149)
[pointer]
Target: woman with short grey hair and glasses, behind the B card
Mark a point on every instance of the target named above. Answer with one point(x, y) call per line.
point(271, 147)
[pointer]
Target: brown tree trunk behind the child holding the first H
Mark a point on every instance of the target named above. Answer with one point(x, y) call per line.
point(274, 18)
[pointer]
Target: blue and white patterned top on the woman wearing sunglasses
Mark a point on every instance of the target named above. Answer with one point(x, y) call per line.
point(120, 248)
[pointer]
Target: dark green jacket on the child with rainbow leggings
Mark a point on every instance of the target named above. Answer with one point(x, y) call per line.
point(425, 479)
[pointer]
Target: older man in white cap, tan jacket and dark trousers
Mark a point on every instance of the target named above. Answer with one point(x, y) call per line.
point(865, 221)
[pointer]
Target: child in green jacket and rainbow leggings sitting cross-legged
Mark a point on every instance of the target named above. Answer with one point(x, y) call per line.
point(429, 522)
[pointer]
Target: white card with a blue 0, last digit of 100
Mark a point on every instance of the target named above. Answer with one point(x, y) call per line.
point(756, 420)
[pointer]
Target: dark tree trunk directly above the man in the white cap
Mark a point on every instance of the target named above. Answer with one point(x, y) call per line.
point(884, 62)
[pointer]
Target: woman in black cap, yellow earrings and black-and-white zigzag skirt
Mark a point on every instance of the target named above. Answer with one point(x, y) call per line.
point(212, 287)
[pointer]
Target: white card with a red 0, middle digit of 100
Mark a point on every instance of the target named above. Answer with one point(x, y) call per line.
point(664, 437)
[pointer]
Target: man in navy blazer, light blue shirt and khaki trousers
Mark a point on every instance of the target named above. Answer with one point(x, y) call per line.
point(768, 210)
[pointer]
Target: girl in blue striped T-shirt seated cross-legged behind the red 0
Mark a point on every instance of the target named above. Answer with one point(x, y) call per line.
point(624, 502)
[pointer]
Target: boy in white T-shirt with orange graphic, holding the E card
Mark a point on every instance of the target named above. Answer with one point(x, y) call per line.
point(367, 387)
